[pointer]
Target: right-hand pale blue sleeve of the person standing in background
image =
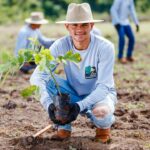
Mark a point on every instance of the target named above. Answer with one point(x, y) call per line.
point(133, 13)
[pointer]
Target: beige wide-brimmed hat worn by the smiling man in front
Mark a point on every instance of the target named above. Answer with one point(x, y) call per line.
point(79, 13)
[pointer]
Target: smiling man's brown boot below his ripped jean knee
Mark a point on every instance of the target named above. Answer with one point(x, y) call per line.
point(102, 135)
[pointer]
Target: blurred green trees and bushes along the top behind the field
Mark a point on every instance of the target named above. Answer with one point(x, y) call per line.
point(18, 10)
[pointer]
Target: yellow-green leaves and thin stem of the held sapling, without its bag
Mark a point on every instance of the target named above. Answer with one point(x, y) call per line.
point(42, 57)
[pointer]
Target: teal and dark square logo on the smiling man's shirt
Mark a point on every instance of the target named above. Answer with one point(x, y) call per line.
point(90, 72)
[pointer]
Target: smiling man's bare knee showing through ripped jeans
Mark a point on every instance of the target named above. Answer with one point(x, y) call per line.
point(101, 111)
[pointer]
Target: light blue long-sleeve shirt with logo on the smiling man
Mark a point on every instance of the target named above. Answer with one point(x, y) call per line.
point(93, 76)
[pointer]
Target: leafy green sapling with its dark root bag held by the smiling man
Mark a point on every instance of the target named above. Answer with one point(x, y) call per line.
point(46, 62)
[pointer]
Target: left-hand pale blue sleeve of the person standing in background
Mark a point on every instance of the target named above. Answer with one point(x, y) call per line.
point(114, 11)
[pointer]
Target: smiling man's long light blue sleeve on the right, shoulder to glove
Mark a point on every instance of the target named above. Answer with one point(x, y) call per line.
point(105, 79)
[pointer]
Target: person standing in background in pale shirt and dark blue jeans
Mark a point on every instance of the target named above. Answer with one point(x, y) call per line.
point(120, 12)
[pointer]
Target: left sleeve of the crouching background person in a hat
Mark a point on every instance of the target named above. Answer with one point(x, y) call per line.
point(21, 42)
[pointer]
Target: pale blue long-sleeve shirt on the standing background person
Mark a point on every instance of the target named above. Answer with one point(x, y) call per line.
point(121, 10)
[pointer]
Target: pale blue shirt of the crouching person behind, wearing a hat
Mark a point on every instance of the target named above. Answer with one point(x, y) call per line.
point(27, 32)
